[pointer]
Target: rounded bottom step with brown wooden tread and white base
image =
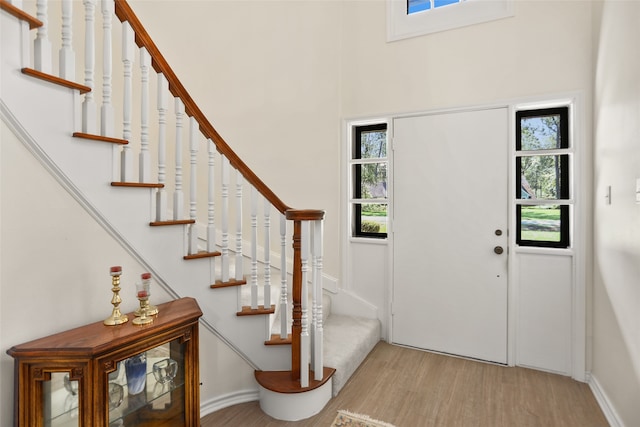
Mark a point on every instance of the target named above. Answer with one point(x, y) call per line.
point(283, 399)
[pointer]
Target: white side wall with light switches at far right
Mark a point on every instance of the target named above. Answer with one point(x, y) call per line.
point(616, 356)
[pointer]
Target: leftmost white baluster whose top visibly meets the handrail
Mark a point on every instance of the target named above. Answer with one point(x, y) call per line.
point(126, 162)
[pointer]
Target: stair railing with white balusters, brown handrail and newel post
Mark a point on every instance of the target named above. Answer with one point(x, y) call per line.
point(217, 167)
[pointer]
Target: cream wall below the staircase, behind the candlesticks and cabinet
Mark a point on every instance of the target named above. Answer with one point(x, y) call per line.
point(54, 274)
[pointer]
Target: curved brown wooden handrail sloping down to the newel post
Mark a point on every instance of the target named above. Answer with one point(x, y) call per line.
point(160, 65)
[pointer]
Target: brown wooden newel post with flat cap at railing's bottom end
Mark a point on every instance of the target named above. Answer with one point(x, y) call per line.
point(297, 216)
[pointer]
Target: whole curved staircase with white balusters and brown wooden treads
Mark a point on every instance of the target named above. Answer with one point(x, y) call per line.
point(186, 216)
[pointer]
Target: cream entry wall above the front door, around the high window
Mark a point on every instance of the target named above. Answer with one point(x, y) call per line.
point(543, 51)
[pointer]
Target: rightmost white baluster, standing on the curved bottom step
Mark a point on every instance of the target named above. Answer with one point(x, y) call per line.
point(318, 332)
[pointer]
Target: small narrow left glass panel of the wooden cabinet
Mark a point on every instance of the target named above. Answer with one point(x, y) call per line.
point(60, 401)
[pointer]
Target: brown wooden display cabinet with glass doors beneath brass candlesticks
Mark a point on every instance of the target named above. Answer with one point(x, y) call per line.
point(78, 377)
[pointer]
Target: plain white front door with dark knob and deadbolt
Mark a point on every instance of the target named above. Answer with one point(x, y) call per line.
point(450, 216)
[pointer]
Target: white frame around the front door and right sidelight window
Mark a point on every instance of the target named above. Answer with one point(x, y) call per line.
point(581, 238)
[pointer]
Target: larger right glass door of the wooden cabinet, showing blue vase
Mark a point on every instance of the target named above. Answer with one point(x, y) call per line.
point(148, 388)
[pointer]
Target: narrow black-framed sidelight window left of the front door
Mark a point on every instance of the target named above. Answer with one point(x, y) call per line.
point(369, 167)
